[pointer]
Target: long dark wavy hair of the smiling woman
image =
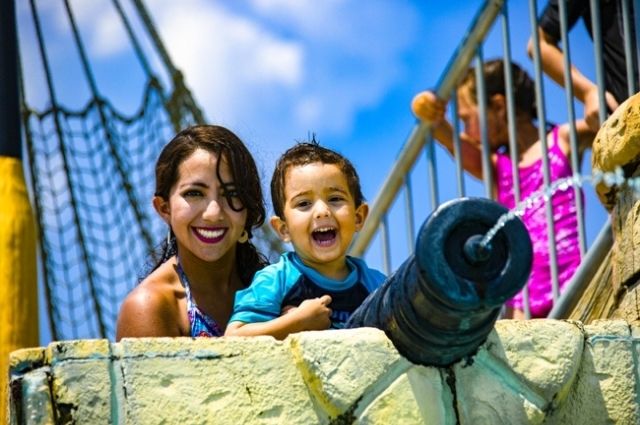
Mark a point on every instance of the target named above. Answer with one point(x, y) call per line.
point(223, 143)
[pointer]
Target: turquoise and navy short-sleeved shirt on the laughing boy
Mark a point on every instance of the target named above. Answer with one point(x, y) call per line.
point(289, 282)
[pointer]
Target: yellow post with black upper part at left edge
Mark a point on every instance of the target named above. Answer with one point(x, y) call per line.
point(18, 275)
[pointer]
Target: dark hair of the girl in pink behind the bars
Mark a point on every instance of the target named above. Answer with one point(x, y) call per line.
point(524, 96)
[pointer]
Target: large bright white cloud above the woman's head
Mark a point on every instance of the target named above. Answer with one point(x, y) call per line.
point(228, 59)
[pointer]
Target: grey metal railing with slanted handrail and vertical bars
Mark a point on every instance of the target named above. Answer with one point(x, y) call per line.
point(471, 46)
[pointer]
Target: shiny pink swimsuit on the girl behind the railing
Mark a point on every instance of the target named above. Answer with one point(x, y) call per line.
point(565, 225)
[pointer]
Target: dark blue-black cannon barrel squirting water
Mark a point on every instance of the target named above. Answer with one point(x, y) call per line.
point(442, 302)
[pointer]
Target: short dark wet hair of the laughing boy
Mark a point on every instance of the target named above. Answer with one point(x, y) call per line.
point(304, 153)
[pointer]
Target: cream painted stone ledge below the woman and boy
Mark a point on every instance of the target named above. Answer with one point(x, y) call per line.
point(528, 372)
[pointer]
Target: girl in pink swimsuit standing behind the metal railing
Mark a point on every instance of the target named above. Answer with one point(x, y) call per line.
point(428, 107)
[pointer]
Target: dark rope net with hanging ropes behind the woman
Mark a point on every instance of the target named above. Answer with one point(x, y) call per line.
point(92, 177)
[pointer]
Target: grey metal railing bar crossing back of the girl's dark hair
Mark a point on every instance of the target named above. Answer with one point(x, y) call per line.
point(511, 124)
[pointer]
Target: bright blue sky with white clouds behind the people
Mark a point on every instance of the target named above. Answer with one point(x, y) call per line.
point(275, 71)
